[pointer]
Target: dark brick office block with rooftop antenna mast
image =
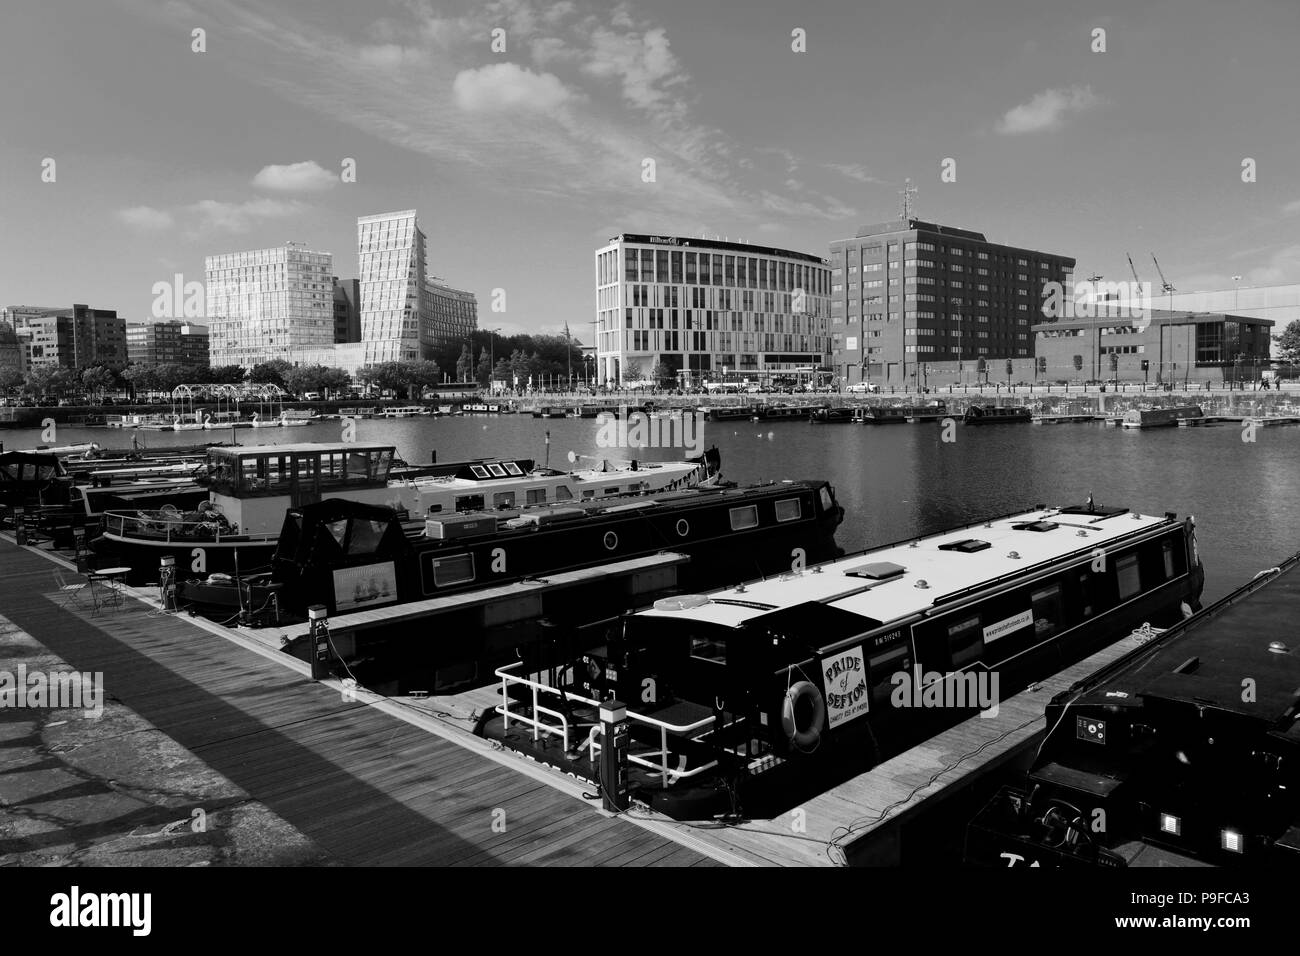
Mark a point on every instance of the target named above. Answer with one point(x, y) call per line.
point(907, 293)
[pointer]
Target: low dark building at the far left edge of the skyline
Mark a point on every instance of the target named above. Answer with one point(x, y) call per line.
point(70, 339)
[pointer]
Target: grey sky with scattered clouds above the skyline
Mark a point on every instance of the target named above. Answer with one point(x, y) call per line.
point(523, 161)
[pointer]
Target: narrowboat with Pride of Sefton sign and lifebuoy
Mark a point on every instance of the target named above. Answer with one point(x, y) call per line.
point(759, 697)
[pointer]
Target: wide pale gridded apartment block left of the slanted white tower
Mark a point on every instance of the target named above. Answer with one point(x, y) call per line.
point(267, 302)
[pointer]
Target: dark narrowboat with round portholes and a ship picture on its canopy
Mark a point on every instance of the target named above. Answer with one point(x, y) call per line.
point(346, 555)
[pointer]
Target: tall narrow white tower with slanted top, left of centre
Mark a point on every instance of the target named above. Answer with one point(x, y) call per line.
point(392, 272)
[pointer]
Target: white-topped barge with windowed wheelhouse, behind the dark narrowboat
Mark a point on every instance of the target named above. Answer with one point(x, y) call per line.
point(249, 488)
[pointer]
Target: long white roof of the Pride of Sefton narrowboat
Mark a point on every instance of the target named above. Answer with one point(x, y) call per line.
point(882, 585)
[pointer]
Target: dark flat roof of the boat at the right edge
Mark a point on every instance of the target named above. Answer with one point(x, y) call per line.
point(1206, 664)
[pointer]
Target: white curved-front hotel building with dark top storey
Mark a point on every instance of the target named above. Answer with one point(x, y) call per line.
point(709, 310)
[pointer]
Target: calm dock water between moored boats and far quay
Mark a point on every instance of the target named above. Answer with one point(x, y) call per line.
point(899, 482)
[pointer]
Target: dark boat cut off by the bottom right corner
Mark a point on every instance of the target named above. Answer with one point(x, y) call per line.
point(1188, 747)
